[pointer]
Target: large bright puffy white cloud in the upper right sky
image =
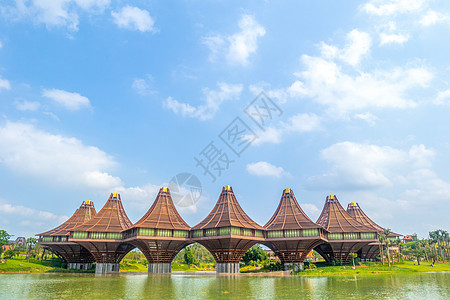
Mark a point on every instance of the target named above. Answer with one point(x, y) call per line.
point(342, 92)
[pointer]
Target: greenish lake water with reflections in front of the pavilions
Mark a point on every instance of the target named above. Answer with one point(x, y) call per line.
point(210, 286)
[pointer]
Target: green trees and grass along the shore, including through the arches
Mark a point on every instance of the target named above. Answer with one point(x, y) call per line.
point(425, 255)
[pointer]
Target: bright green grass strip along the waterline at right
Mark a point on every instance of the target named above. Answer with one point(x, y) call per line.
point(373, 269)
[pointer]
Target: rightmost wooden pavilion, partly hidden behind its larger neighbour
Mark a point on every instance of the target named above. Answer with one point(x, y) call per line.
point(370, 251)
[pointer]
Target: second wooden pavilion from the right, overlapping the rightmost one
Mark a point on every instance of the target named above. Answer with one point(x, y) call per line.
point(345, 235)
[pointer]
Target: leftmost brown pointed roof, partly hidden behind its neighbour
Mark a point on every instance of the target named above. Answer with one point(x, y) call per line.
point(84, 213)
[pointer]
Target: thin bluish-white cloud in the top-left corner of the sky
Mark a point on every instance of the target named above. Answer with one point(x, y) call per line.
point(55, 13)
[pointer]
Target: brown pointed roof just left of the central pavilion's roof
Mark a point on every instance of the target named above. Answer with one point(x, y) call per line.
point(163, 214)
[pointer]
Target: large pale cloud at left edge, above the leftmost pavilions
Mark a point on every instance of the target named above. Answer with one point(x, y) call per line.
point(55, 158)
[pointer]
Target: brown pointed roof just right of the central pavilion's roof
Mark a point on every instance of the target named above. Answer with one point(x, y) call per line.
point(289, 214)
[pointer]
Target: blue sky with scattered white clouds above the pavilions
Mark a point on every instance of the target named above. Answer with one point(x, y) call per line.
point(103, 96)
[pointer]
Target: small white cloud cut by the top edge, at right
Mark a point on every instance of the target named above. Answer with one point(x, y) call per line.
point(392, 7)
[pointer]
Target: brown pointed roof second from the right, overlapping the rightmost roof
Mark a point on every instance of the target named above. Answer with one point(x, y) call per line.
point(335, 219)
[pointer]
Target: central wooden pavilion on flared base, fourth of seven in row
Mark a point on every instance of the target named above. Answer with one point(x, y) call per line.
point(227, 232)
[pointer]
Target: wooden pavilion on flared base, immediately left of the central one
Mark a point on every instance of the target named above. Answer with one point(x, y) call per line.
point(160, 234)
